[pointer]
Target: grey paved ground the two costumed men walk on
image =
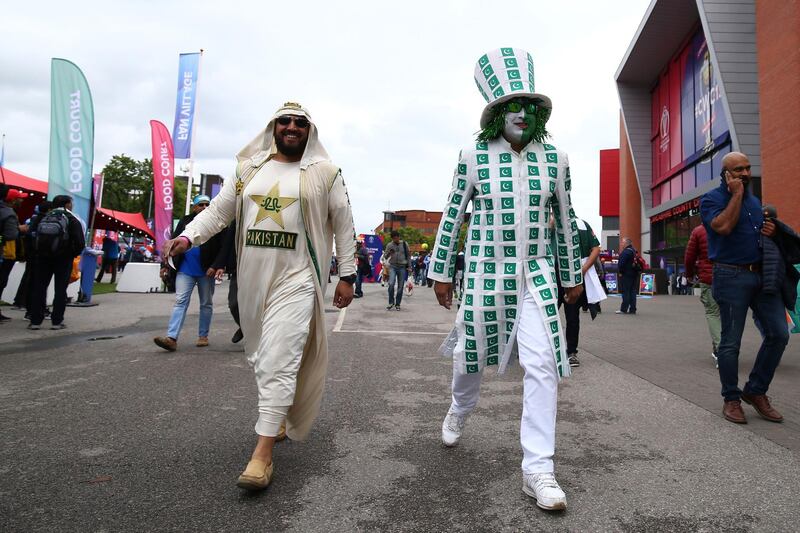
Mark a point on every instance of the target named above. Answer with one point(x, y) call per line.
point(113, 434)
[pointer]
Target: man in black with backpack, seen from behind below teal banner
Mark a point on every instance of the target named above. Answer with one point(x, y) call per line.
point(59, 240)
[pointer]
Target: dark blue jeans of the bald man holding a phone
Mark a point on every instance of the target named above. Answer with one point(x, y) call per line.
point(735, 291)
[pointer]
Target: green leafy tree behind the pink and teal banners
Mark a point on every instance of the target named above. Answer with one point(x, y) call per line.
point(127, 184)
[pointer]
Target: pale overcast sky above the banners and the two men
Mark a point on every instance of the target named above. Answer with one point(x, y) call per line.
point(390, 85)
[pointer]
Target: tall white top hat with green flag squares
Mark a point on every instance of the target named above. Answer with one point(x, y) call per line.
point(504, 74)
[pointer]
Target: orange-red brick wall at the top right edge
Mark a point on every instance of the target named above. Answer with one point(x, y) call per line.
point(778, 46)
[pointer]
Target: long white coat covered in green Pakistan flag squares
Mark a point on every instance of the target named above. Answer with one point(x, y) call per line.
point(507, 245)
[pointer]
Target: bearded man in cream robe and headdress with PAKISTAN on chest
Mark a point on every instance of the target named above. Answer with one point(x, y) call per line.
point(289, 202)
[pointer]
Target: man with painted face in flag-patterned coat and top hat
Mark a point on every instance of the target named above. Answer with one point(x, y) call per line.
point(514, 180)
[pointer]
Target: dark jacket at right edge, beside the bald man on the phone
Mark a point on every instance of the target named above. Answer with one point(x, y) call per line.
point(780, 254)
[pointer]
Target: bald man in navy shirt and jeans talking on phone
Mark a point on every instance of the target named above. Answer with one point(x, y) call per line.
point(735, 227)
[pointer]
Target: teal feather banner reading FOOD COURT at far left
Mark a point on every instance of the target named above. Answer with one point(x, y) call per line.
point(71, 137)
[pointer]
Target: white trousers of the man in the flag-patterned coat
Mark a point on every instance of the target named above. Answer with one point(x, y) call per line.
point(540, 389)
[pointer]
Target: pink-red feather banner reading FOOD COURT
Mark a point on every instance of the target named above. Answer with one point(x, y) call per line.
point(163, 181)
